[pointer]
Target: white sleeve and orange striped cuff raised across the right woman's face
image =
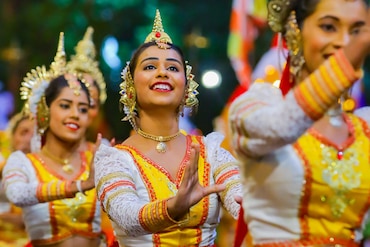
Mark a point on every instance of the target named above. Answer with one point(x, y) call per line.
point(263, 120)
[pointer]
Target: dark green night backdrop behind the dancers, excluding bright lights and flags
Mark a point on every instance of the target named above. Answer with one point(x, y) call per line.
point(29, 33)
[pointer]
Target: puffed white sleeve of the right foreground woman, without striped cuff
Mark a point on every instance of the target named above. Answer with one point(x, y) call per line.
point(262, 120)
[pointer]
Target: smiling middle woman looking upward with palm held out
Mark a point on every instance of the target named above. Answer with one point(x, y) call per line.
point(162, 186)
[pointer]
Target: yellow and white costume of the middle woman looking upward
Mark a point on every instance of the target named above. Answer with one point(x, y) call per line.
point(133, 190)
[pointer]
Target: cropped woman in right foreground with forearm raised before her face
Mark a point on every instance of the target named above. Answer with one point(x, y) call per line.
point(305, 162)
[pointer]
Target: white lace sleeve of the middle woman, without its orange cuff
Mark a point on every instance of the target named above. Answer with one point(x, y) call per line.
point(115, 186)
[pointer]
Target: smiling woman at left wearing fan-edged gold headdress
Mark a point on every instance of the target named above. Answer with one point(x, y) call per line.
point(54, 184)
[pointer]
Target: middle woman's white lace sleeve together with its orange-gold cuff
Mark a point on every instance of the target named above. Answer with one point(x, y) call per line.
point(116, 179)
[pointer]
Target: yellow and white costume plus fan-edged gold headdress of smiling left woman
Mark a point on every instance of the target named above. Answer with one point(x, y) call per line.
point(52, 212)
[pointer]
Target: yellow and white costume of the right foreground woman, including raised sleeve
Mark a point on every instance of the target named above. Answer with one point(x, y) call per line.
point(299, 188)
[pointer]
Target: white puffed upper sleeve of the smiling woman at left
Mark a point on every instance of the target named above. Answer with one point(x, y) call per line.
point(19, 180)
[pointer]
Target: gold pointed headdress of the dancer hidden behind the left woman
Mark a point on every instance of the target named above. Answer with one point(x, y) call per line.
point(84, 62)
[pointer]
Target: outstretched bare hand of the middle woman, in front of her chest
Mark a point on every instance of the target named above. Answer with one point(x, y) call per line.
point(190, 191)
